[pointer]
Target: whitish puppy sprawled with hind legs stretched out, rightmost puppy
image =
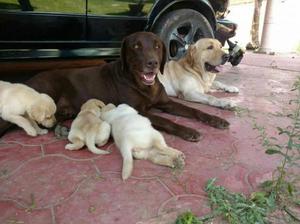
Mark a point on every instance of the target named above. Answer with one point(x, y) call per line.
point(135, 137)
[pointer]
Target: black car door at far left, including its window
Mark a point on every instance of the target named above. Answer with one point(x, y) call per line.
point(36, 24)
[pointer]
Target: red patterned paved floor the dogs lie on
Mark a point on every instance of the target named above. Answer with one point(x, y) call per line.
point(41, 182)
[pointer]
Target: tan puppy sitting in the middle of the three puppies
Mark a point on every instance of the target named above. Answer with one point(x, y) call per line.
point(88, 129)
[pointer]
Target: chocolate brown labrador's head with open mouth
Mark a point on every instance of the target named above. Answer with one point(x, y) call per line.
point(143, 54)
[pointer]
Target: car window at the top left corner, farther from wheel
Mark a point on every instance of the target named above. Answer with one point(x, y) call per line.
point(58, 6)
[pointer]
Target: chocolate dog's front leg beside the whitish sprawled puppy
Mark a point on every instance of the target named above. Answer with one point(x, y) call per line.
point(170, 127)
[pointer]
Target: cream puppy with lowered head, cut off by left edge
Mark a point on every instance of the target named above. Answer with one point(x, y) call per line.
point(25, 107)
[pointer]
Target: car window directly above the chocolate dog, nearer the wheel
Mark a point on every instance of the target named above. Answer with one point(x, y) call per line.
point(120, 7)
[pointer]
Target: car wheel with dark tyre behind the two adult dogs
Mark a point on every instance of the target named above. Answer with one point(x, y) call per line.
point(180, 28)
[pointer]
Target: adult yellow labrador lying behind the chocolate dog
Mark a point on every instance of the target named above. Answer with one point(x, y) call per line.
point(194, 75)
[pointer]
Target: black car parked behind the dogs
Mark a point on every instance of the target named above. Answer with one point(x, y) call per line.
point(88, 28)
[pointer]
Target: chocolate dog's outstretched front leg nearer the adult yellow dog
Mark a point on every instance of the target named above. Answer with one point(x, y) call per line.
point(185, 111)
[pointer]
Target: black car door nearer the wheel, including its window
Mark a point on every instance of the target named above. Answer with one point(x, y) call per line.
point(110, 21)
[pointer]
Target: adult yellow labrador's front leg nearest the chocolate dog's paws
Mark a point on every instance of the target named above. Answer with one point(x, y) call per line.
point(208, 100)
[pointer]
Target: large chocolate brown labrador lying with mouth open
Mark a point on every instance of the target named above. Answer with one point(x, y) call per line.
point(132, 80)
